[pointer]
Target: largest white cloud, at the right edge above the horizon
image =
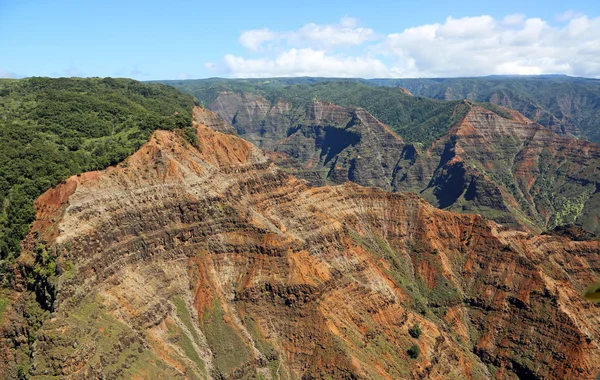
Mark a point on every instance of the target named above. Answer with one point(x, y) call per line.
point(482, 46)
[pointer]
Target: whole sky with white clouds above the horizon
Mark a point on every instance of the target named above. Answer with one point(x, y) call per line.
point(197, 39)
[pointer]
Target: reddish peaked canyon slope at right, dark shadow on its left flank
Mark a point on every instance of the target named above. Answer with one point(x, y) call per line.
point(519, 168)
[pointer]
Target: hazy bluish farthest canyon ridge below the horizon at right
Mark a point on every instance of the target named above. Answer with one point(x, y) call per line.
point(566, 105)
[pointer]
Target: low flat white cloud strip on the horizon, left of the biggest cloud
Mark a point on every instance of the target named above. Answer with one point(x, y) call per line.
point(305, 62)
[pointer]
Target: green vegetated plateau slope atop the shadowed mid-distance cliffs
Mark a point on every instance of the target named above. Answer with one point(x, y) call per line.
point(416, 119)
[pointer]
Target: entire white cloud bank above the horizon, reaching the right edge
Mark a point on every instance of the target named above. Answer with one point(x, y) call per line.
point(468, 46)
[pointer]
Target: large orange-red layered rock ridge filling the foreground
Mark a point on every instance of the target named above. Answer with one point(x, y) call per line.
point(210, 261)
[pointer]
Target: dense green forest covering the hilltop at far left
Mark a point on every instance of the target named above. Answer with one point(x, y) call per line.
point(51, 129)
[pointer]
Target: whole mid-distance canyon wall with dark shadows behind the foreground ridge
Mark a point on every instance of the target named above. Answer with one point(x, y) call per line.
point(505, 167)
